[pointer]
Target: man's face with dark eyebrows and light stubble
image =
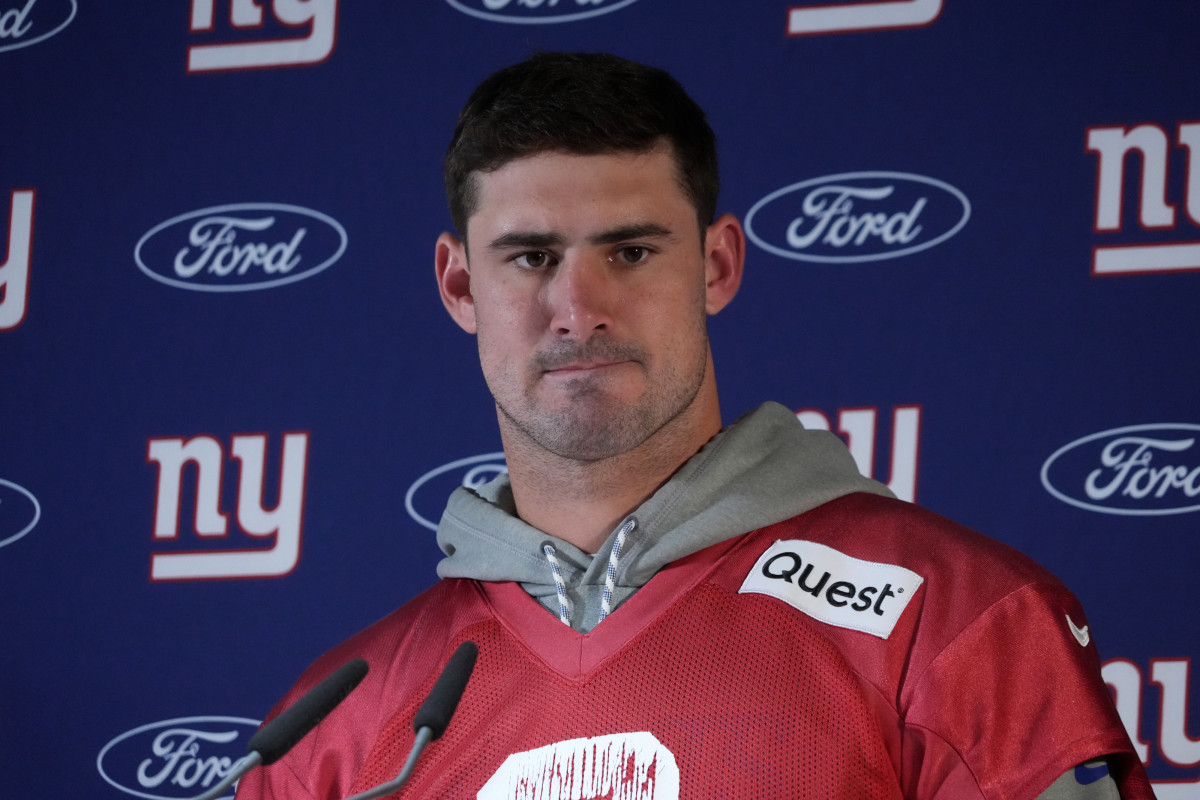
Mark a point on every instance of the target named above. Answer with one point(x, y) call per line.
point(587, 284)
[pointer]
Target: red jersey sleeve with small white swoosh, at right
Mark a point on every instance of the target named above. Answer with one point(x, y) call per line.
point(1015, 701)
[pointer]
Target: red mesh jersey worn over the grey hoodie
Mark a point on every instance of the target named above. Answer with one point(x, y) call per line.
point(697, 690)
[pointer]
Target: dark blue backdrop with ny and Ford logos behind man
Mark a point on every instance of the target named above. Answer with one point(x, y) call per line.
point(232, 405)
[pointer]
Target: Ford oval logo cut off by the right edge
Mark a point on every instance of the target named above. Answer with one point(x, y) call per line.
point(1138, 471)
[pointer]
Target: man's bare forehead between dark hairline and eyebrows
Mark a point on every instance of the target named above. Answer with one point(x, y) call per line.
point(568, 193)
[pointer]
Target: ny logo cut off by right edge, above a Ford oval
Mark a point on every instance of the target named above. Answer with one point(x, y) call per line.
point(1155, 213)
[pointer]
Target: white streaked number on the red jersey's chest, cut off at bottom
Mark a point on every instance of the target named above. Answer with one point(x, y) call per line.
point(622, 766)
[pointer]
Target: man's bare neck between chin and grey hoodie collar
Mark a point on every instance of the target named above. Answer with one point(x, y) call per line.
point(583, 502)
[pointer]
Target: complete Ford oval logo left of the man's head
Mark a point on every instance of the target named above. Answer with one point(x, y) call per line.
point(241, 248)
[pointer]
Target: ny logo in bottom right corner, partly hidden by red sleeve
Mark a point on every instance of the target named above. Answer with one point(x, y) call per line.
point(1179, 751)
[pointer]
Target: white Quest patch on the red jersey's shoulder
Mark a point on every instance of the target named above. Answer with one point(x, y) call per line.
point(835, 588)
